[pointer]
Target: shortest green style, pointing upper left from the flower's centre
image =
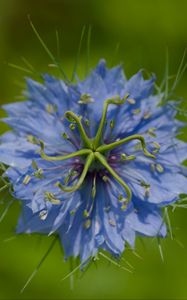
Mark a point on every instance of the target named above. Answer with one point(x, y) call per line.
point(73, 117)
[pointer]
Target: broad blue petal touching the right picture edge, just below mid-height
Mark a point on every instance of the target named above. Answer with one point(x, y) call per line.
point(160, 191)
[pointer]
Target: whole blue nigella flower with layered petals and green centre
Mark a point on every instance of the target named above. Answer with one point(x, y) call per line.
point(94, 162)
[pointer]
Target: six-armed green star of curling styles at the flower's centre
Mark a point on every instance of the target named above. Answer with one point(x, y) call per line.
point(94, 150)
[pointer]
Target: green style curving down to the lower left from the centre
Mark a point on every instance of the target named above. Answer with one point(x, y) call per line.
point(75, 187)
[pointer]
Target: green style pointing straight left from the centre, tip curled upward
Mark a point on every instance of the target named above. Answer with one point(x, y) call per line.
point(64, 157)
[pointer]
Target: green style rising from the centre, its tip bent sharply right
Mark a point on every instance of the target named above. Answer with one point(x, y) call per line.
point(116, 101)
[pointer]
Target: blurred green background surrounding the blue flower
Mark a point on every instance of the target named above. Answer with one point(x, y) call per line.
point(137, 33)
